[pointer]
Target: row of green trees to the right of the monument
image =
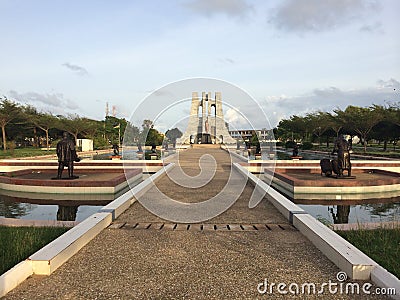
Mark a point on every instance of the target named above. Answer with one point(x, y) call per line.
point(378, 122)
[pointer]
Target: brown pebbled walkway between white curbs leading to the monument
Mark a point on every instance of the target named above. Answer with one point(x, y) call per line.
point(150, 258)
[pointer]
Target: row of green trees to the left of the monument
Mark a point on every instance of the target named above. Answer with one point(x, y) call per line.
point(24, 126)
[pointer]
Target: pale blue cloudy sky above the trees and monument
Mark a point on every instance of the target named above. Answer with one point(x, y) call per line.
point(290, 56)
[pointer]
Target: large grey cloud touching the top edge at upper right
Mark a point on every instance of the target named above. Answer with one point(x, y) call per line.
point(317, 15)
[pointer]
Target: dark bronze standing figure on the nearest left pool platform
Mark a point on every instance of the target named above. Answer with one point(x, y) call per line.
point(66, 154)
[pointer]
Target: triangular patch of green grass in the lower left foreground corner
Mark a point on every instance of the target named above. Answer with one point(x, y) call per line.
point(18, 243)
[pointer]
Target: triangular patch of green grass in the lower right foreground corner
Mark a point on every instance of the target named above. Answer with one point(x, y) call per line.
point(382, 245)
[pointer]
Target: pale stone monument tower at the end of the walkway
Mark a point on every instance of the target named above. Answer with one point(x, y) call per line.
point(206, 122)
